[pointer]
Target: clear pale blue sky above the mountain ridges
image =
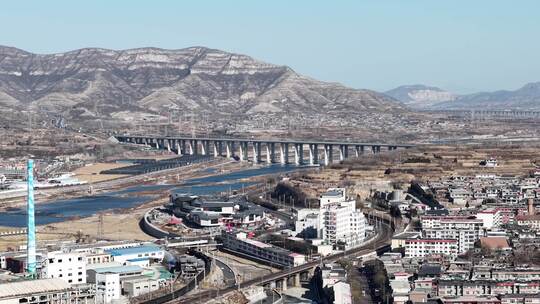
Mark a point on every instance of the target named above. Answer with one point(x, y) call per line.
point(460, 45)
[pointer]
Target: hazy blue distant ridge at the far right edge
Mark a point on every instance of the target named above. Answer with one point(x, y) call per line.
point(524, 98)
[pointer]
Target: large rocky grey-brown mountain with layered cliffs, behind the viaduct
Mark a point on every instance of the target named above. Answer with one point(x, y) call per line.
point(91, 83)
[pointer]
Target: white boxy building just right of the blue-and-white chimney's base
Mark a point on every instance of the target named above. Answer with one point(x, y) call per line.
point(68, 266)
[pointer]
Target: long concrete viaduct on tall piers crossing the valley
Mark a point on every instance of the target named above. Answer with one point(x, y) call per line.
point(227, 147)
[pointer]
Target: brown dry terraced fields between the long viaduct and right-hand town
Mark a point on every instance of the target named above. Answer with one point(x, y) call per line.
point(397, 169)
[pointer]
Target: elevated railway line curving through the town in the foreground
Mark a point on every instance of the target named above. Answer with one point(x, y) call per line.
point(382, 239)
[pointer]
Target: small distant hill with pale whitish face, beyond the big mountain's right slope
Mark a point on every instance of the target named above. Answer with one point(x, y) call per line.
point(420, 95)
